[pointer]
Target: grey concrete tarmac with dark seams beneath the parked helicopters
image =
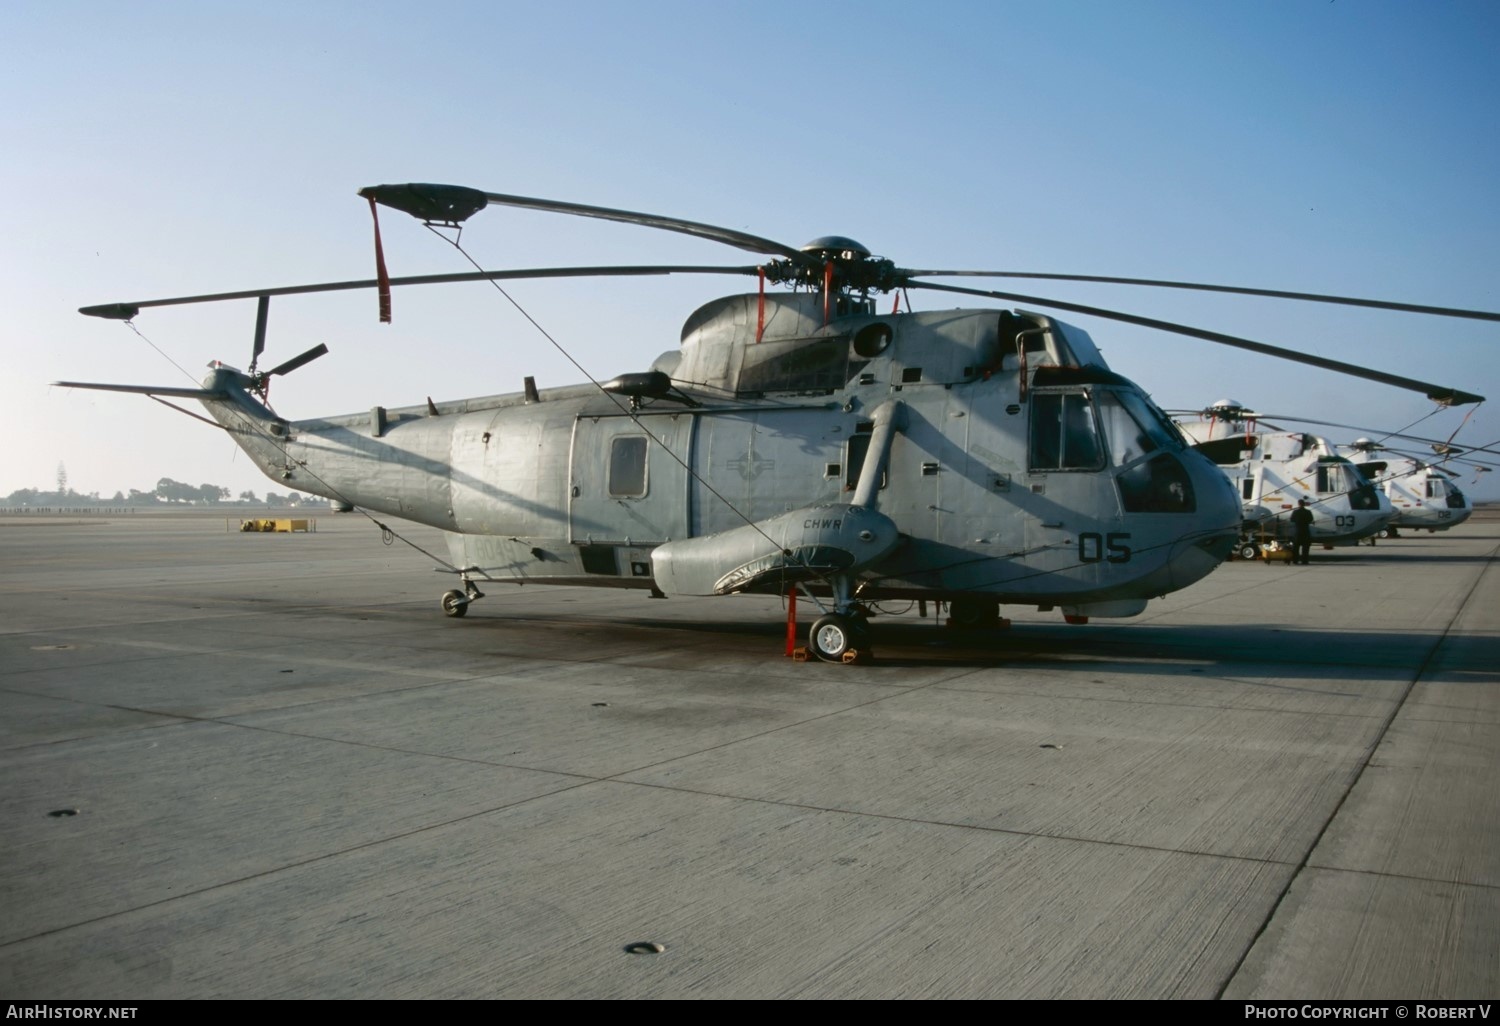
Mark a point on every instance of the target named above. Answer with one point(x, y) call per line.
point(266, 766)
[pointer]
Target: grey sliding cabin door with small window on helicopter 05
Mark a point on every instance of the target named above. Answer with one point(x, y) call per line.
point(628, 493)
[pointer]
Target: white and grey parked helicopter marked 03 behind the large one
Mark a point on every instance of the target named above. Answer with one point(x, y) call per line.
point(1273, 470)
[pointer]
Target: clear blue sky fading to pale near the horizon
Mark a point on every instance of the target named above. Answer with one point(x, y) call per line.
point(164, 149)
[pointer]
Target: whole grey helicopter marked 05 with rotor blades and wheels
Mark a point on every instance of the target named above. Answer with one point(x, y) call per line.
point(793, 442)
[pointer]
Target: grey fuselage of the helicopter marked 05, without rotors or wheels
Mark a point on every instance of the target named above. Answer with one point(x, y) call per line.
point(1022, 469)
